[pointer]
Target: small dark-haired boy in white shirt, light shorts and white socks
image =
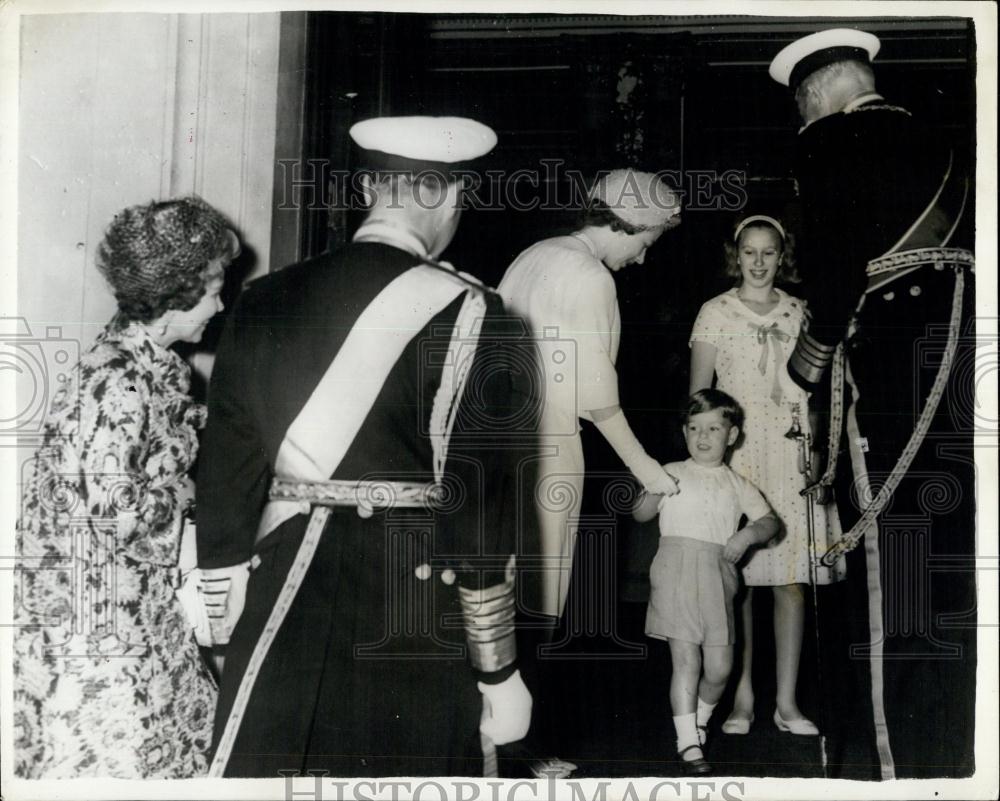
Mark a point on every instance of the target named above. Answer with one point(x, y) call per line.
point(693, 577)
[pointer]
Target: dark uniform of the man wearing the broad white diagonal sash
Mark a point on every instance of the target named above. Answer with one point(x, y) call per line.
point(370, 672)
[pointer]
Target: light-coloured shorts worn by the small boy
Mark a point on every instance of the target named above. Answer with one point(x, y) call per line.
point(692, 590)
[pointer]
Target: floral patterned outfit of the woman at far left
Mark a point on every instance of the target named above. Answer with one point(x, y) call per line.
point(108, 678)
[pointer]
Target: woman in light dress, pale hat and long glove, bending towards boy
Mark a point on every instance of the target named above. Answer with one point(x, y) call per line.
point(564, 291)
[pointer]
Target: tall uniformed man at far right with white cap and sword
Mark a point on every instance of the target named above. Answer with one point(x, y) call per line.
point(889, 291)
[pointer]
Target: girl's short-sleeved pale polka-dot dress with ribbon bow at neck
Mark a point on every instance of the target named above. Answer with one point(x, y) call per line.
point(752, 351)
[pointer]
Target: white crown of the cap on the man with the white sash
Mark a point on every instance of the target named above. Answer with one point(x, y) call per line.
point(440, 140)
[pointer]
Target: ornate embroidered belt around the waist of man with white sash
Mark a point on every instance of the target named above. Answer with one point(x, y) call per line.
point(366, 495)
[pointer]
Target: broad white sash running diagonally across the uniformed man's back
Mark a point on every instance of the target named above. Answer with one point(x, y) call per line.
point(327, 425)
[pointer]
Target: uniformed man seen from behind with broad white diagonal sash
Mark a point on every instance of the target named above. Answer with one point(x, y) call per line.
point(351, 491)
